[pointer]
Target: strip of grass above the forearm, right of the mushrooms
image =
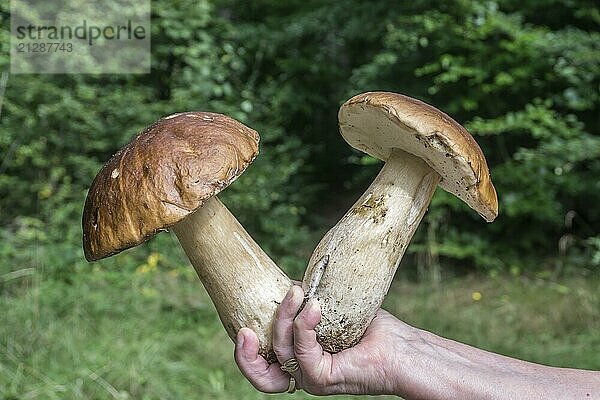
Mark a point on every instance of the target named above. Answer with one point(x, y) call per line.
point(533, 319)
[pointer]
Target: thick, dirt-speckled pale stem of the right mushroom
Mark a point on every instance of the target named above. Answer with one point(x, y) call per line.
point(364, 248)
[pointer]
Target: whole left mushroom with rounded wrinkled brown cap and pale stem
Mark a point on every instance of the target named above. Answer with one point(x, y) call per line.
point(167, 177)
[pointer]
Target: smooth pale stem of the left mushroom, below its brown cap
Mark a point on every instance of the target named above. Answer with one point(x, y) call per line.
point(244, 284)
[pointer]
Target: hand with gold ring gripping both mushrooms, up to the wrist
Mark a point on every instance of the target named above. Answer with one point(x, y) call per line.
point(363, 369)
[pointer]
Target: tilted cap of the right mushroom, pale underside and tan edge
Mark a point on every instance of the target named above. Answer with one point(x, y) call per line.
point(379, 122)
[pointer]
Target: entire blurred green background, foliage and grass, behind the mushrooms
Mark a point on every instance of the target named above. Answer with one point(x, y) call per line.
point(523, 76)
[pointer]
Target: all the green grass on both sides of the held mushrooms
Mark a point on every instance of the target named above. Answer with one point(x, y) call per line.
point(153, 333)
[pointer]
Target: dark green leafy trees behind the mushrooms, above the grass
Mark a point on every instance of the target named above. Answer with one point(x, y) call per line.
point(523, 82)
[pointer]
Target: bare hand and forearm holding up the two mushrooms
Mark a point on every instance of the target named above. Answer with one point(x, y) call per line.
point(395, 358)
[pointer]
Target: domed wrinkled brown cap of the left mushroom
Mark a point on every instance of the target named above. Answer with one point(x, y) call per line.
point(165, 173)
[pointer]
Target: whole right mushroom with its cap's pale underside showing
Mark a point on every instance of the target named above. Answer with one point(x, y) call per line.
point(352, 267)
